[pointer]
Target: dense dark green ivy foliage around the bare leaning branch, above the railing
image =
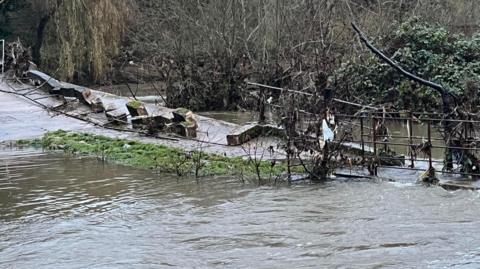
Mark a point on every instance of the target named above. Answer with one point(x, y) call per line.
point(433, 53)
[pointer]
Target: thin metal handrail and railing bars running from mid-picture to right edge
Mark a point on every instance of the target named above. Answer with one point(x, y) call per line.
point(370, 137)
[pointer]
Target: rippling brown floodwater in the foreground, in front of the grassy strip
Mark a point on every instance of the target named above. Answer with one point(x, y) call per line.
point(63, 212)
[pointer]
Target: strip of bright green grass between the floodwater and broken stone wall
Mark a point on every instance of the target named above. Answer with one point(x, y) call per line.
point(152, 156)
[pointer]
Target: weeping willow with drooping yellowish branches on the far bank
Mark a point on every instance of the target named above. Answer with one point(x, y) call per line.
point(77, 39)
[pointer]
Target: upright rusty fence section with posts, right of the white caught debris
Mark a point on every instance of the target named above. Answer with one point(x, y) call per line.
point(372, 139)
